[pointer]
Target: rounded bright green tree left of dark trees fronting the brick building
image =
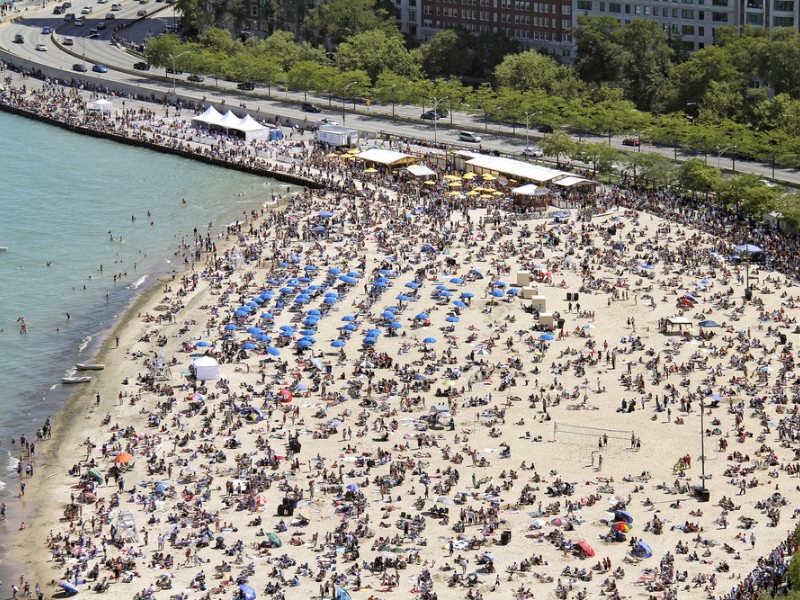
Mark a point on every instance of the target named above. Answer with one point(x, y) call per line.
point(374, 51)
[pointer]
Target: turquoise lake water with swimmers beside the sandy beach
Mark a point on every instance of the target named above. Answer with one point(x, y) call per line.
point(60, 196)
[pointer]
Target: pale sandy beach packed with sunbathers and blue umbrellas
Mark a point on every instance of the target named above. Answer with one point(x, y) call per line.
point(399, 410)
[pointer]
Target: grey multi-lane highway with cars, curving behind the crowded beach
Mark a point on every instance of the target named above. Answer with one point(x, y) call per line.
point(142, 19)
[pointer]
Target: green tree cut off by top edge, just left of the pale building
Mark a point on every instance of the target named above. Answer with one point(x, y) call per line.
point(336, 20)
